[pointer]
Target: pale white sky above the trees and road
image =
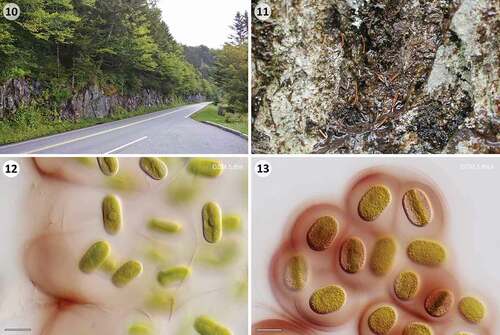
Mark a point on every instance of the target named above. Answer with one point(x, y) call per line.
point(196, 22)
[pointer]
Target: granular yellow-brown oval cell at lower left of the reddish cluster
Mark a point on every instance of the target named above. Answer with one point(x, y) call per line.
point(328, 299)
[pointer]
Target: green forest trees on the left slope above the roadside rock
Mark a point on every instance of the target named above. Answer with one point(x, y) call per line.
point(123, 46)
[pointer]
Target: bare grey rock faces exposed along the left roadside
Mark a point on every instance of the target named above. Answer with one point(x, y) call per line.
point(91, 102)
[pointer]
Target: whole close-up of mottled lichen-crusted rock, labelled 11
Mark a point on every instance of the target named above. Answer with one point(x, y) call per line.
point(388, 76)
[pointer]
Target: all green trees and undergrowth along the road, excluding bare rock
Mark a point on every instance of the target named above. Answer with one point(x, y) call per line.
point(122, 47)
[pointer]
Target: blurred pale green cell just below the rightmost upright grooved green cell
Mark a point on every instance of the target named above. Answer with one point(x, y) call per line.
point(220, 254)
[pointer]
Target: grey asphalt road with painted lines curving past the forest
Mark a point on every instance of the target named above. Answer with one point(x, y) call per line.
point(167, 132)
